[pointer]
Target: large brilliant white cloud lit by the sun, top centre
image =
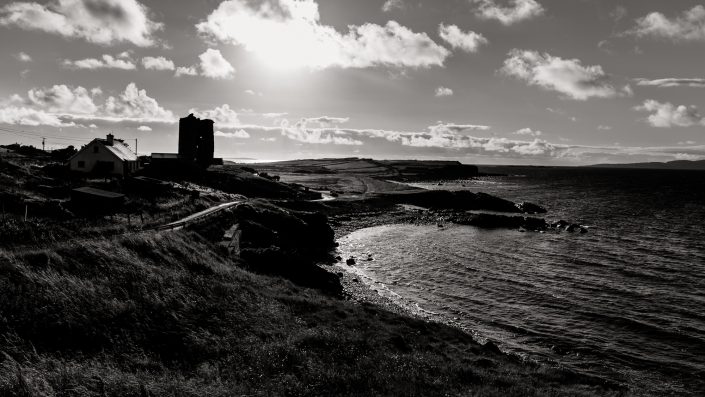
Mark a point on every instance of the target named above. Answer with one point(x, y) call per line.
point(289, 33)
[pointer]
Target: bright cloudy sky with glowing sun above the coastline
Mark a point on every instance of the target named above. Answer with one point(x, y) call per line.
point(540, 82)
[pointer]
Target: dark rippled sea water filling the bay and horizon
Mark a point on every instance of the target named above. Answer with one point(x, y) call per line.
point(624, 302)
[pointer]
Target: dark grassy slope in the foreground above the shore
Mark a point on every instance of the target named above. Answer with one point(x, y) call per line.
point(167, 314)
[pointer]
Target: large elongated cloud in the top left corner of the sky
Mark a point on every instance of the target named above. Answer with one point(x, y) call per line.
point(97, 21)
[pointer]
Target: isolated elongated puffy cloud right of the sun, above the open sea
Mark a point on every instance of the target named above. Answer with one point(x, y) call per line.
point(567, 76)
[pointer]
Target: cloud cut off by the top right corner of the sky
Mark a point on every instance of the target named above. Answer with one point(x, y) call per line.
point(689, 26)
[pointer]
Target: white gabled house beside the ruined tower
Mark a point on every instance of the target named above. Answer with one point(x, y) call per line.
point(108, 156)
